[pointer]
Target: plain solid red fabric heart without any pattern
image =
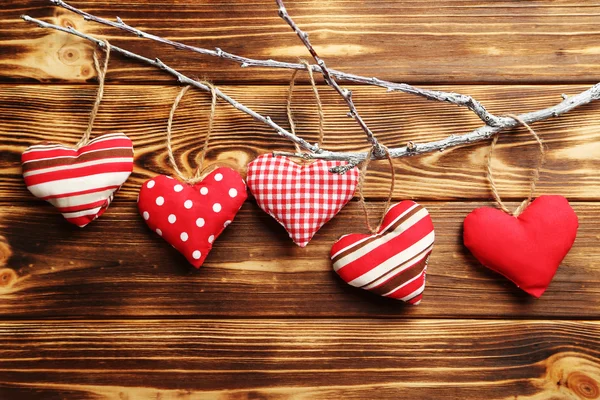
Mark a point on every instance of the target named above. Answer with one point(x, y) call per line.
point(527, 249)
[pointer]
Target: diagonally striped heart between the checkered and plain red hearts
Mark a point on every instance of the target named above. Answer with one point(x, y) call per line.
point(393, 262)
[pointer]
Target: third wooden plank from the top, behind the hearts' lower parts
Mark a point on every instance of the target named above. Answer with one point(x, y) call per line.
point(118, 267)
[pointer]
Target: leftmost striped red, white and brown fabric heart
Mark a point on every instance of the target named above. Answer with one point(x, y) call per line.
point(79, 182)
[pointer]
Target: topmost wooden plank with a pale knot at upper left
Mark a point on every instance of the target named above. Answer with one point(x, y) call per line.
point(455, 41)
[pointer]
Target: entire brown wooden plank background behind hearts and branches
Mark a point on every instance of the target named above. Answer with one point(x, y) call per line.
point(112, 311)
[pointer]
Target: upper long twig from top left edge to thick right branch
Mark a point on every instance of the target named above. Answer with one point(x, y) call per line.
point(449, 97)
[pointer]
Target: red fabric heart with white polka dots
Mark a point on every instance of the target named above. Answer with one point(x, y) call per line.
point(191, 217)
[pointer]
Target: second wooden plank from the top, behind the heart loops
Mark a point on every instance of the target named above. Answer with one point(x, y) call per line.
point(33, 113)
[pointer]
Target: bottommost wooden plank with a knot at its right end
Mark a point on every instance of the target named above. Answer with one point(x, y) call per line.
point(300, 359)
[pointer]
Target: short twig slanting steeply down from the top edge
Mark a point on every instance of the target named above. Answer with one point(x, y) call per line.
point(345, 93)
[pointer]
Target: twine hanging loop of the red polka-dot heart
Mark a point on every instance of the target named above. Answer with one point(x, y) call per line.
point(197, 176)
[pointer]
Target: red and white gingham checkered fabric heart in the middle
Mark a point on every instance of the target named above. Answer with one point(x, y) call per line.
point(302, 198)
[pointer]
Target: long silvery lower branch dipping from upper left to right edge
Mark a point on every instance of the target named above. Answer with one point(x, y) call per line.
point(479, 134)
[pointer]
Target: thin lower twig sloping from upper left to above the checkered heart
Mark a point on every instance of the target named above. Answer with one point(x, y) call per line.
point(182, 79)
